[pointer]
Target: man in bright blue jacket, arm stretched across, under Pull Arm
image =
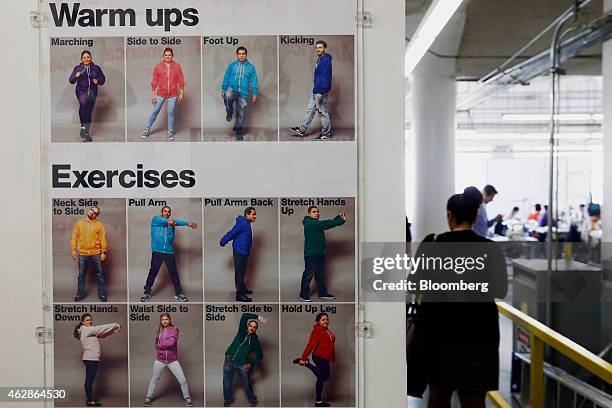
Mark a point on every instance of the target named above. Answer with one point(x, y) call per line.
point(162, 238)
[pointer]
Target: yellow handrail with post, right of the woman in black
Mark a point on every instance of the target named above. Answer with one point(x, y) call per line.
point(540, 335)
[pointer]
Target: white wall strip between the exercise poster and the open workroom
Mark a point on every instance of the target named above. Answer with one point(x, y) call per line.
point(383, 191)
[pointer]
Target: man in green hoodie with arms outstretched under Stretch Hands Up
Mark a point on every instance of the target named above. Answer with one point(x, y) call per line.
point(314, 252)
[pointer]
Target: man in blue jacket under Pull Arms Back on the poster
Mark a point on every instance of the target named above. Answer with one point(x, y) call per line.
point(241, 236)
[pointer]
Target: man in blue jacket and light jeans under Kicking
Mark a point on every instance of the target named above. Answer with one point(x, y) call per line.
point(320, 95)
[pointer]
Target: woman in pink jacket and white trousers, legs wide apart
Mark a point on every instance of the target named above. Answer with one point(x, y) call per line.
point(166, 345)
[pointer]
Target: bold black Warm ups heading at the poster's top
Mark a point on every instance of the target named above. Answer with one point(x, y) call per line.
point(72, 14)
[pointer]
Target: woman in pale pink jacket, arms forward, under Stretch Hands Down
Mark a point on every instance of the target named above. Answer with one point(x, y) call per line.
point(89, 336)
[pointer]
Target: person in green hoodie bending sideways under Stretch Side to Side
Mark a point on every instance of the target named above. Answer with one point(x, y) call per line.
point(243, 353)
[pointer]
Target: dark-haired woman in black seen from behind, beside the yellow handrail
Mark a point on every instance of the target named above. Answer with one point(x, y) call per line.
point(459, 335)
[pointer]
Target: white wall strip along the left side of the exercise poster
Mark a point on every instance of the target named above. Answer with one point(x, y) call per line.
point(20, 215)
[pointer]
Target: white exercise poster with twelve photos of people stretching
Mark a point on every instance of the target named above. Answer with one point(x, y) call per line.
point(201, 177)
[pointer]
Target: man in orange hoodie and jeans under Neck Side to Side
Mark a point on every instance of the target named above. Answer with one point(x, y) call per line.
point(88, 245)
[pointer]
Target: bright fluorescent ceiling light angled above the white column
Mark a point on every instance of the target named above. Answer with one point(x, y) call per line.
point(438, 14)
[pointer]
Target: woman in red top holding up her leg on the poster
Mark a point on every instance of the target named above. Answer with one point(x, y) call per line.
point(321, 345)
